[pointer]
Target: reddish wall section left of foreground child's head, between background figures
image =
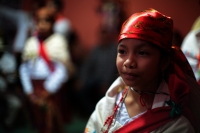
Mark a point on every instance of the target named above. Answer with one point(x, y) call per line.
point(84, 18)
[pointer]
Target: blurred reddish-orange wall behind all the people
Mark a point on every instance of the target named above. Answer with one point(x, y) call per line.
point(85, 20)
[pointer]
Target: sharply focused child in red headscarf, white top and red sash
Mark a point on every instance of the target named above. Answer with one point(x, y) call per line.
point(156, 90)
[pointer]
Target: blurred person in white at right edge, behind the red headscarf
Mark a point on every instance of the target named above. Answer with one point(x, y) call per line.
point(191, 48)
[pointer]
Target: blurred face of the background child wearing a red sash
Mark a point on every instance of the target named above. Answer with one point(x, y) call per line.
point(44, 22)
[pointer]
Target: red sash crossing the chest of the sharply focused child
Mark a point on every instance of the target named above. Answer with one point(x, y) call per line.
point(148, 122)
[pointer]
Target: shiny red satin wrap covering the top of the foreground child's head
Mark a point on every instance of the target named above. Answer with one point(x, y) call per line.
point(149, 25)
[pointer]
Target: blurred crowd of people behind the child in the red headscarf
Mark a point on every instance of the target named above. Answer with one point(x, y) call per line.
point(46, 76)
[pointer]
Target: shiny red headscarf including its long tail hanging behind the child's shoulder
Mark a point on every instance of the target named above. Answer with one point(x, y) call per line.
point(156, 28)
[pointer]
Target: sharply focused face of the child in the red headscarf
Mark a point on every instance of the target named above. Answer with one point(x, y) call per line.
point(138, 63)
